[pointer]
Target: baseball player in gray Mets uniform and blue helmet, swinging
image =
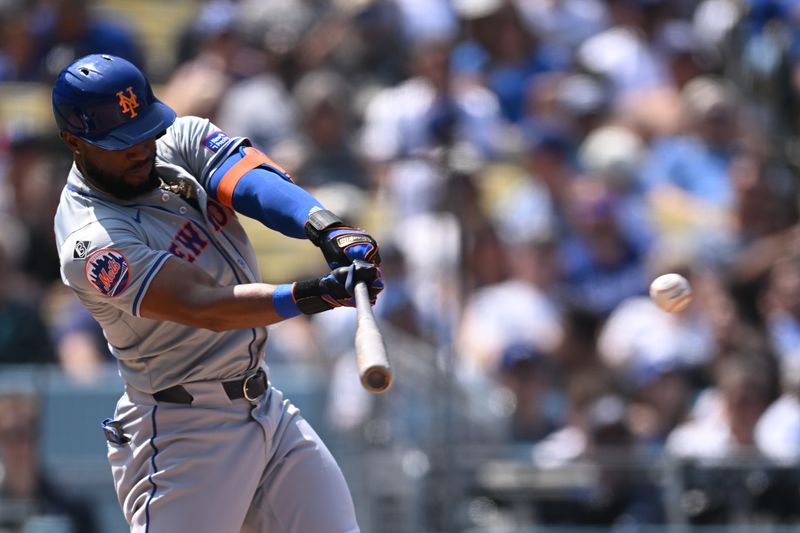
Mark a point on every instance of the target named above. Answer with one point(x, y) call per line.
point(149, 240)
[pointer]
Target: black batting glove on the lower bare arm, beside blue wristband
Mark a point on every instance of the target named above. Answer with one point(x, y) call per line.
point(337, 289)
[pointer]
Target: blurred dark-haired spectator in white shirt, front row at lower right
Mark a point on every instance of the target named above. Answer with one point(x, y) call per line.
point(726, 477)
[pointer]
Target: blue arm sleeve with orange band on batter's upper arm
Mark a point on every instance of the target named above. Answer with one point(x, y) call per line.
point(265, 193)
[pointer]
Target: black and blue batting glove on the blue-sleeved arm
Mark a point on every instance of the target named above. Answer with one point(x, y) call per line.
point(340, 244)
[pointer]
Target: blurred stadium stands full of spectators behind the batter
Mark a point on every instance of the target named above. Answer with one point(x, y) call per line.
point(528, 166)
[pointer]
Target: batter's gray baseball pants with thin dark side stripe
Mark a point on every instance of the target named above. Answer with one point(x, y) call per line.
point(225, 466)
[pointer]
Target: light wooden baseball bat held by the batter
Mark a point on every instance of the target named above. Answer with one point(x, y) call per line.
point(371, 359)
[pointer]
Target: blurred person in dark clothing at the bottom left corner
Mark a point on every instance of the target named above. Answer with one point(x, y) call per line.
point(26, 494)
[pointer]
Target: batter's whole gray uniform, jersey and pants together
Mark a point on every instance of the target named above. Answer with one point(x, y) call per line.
point(217, 465)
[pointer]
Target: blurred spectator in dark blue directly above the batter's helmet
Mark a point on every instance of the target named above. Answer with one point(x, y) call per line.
point(69, 29)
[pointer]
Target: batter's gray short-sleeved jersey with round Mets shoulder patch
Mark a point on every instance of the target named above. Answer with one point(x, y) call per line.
point(110, 251)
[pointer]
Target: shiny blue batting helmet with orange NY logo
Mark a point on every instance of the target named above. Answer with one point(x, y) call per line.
point(106, 101)
